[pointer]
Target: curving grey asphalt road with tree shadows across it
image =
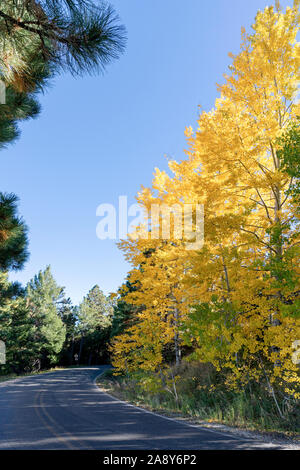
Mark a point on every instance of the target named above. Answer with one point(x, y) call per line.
point(66, 410)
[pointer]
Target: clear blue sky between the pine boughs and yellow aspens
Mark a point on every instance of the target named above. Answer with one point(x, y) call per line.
point(101, 137)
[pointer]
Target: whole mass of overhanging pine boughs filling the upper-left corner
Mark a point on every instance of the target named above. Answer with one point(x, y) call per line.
point(40, 39)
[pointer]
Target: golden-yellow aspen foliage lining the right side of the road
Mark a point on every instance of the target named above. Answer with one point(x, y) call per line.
point(237, 299)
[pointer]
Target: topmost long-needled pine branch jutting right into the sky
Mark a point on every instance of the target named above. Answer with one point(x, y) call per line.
point(74, 35)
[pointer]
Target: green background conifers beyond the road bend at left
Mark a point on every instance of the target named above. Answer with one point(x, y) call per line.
point(41, 328)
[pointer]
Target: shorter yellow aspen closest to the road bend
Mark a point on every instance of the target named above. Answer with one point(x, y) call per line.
point(158, 276)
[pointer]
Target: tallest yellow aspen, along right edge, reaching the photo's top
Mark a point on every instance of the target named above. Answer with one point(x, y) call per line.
point(235, 152)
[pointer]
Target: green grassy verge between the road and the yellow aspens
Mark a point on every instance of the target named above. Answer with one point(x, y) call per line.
point(250, 410)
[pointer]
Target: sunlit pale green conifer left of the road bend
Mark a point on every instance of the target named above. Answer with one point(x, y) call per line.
point(44, 297)
